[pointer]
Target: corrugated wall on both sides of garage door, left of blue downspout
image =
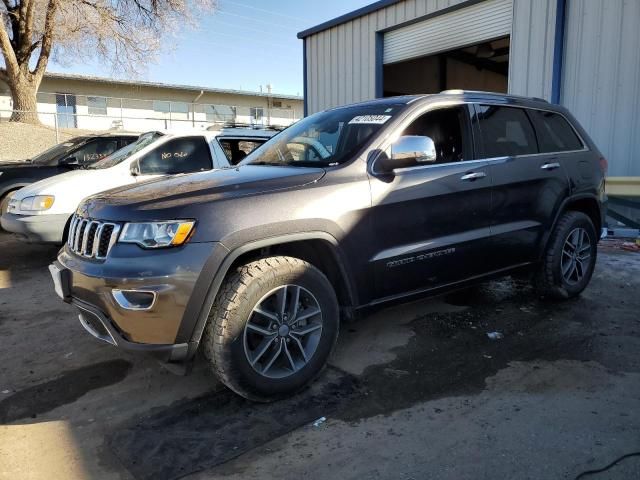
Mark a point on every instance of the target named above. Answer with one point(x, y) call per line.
point(341, 61)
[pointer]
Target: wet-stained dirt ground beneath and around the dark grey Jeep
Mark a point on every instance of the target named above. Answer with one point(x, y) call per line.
point(413, 392)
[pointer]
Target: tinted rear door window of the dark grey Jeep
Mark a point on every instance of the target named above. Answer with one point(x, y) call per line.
point(506, 131)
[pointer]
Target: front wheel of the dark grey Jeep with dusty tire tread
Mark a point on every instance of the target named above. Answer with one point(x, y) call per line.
point(263, 367)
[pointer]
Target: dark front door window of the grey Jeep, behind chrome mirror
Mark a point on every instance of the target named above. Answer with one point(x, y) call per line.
point(445, 126)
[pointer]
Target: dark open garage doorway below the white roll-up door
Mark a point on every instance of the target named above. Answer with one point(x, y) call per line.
point(483, 66)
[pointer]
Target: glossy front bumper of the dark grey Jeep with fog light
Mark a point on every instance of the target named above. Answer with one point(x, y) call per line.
point(172, 274)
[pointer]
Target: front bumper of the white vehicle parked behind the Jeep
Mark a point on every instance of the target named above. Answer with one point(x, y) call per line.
point(36, 228)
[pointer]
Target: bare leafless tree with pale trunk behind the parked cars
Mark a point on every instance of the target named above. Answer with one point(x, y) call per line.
point(125, 33)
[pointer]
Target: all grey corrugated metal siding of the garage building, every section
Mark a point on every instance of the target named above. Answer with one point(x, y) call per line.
point(600, 73)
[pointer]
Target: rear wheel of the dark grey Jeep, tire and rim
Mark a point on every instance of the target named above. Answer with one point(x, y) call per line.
point(560, 275)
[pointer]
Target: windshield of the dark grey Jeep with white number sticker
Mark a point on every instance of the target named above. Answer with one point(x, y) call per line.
point(326, 138)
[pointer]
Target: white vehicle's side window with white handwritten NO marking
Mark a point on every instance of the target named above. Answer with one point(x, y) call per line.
point(181, 155)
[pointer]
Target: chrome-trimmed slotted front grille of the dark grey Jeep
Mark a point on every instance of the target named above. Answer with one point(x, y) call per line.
point(92, 238)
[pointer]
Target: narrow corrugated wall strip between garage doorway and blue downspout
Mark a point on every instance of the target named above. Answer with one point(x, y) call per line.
point(531, 49)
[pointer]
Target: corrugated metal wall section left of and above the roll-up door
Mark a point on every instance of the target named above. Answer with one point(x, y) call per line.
point(341, 61)
